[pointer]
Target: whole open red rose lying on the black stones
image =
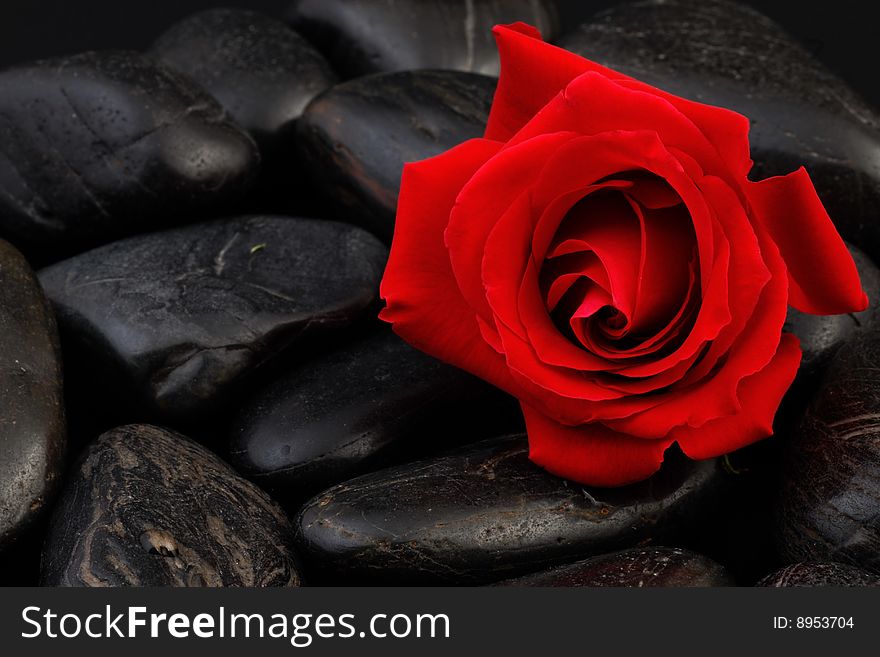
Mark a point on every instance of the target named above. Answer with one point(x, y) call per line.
point(601, 255)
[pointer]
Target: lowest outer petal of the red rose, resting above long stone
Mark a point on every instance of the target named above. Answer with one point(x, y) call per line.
point(591, 453)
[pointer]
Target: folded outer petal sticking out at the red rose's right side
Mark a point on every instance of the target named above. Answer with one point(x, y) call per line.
point(823, 279)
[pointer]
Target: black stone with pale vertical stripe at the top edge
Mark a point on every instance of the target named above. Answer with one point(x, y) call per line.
point(369, 36)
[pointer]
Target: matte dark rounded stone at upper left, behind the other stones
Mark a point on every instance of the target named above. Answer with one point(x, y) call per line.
point(260, 70)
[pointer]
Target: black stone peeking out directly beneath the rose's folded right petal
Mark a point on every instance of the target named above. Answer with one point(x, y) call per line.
point(821, 336)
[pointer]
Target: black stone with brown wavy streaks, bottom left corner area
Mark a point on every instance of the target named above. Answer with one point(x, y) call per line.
point(149, 507)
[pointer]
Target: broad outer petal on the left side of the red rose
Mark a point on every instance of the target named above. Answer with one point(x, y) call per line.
point(425, 305)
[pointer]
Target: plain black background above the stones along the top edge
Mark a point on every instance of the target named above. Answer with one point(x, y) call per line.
point(844, 34)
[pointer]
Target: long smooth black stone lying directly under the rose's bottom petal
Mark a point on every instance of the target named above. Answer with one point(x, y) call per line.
point(487, 513)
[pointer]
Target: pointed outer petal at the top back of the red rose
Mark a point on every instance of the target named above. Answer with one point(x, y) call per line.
point(533, 72)
